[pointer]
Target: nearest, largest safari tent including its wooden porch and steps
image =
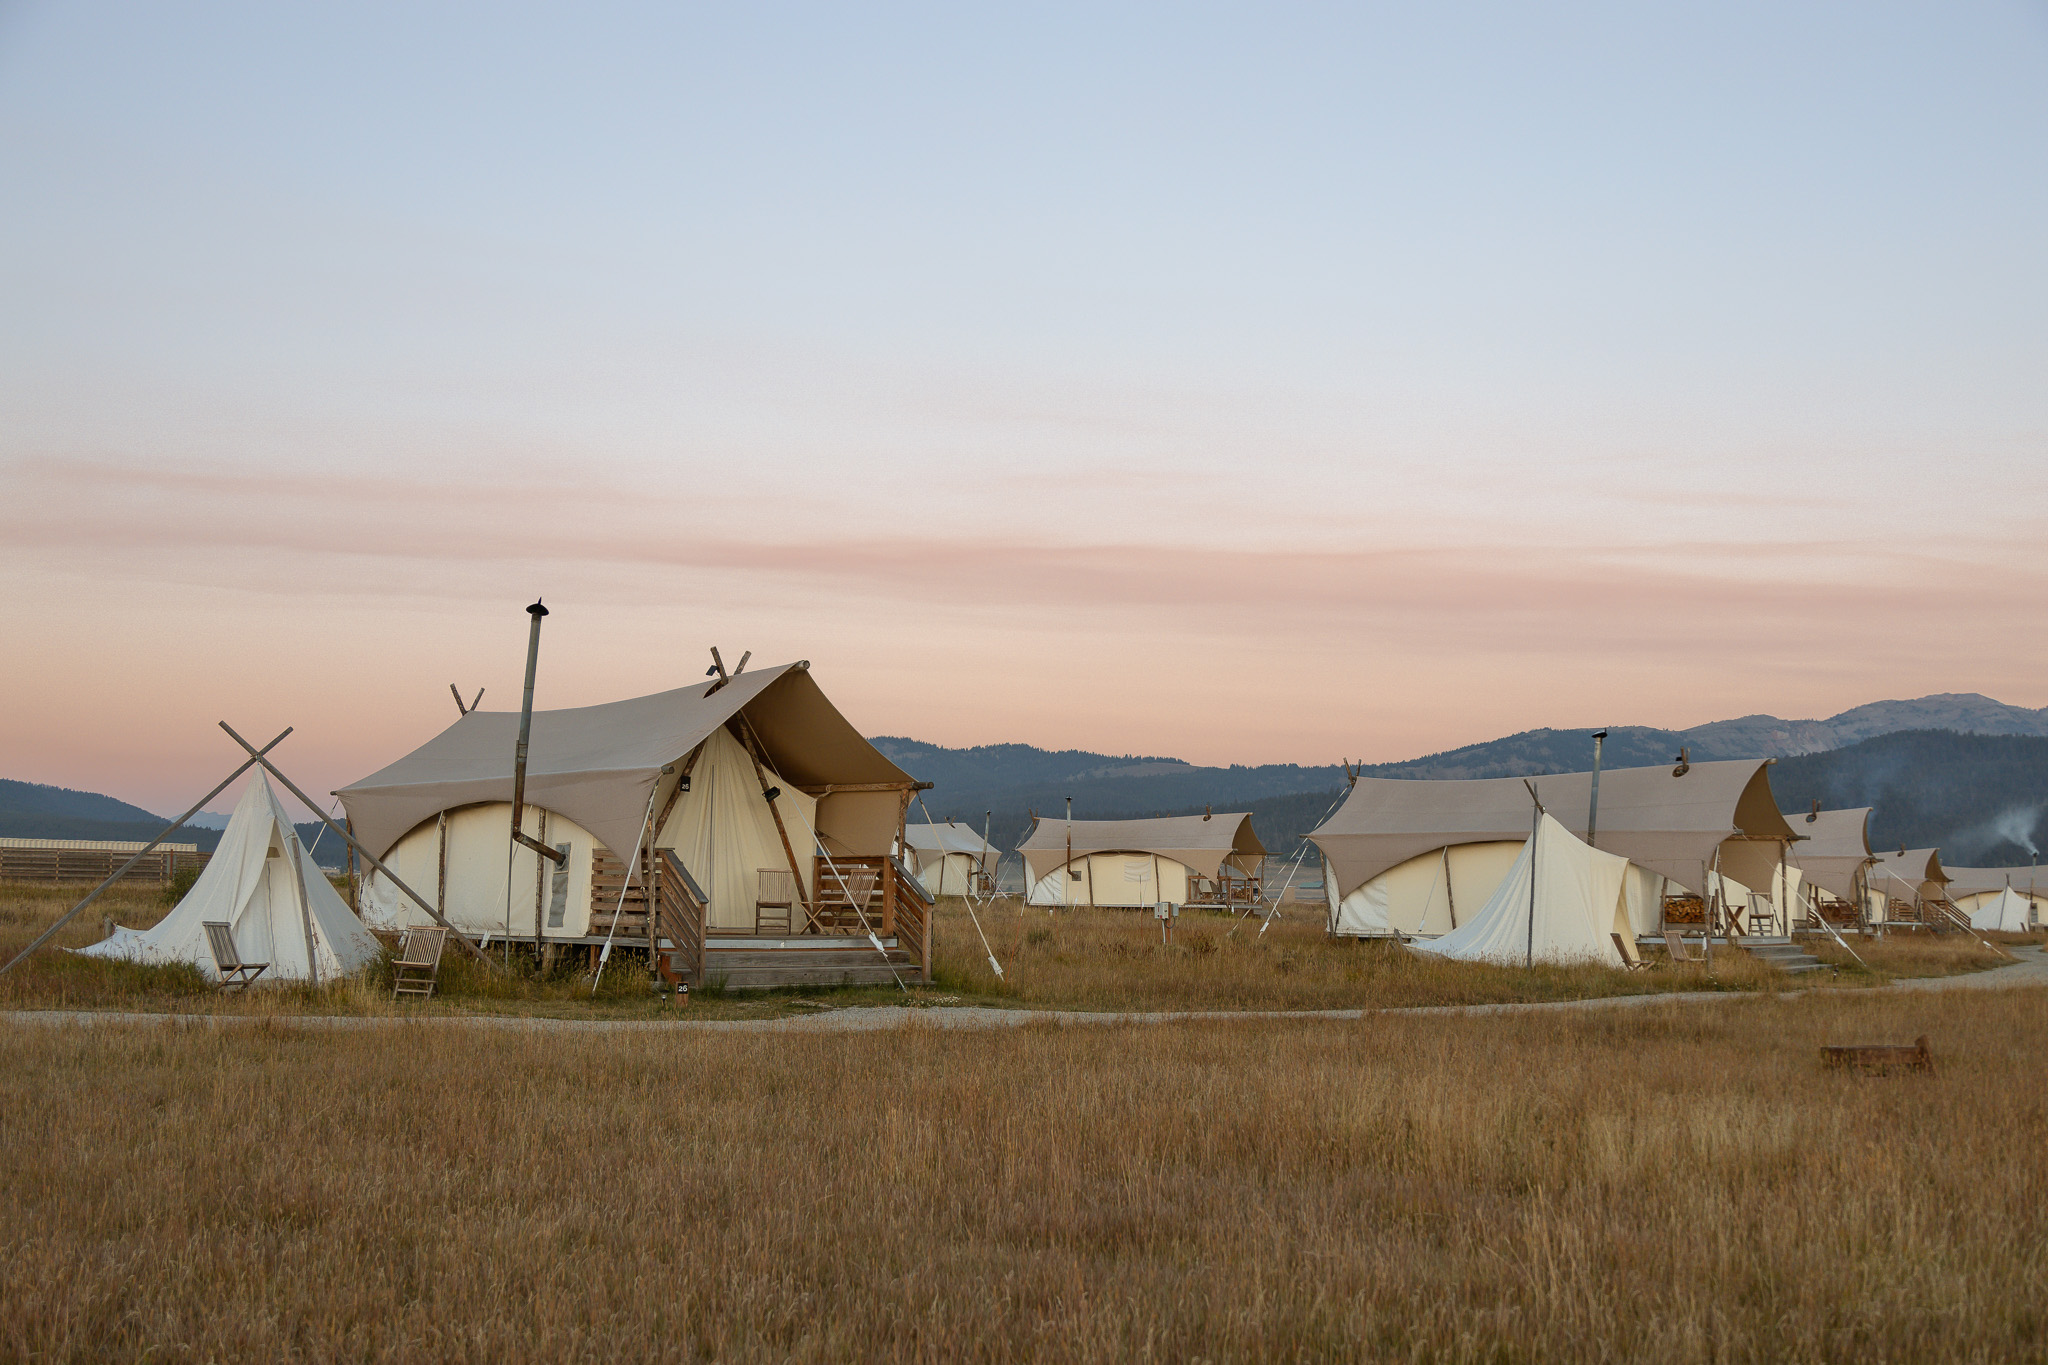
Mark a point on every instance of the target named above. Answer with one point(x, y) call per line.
point(677, 818)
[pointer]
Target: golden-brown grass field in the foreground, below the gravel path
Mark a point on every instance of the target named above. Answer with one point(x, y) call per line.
point(1676, 1184)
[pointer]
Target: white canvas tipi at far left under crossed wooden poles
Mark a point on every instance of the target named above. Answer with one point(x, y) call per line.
point(273, 897)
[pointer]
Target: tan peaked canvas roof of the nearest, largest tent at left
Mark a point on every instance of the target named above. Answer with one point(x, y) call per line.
point(599, 764)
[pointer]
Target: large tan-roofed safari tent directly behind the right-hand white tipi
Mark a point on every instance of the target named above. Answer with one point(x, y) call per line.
point(1705, 844)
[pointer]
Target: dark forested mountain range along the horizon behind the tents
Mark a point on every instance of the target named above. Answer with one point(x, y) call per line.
point(1955, 770)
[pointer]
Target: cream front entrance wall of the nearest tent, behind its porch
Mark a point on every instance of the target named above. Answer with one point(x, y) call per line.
point(724, 832)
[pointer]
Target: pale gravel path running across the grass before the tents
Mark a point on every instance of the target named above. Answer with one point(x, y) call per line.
point(2031, 971)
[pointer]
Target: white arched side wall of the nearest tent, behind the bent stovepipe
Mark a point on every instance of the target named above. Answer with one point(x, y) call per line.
point(478, 842)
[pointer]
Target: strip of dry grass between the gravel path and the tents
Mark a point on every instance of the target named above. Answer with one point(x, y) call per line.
point(1070, 961)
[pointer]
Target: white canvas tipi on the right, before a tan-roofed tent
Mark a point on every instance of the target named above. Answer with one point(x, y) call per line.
point(1562, 901)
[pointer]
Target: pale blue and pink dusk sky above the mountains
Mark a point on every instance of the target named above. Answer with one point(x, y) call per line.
point(1238, 384)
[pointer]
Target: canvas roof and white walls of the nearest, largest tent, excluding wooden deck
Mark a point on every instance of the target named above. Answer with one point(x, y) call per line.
point(675, 770)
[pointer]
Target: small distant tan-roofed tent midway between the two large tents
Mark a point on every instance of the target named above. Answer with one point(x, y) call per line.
point(1181, 861)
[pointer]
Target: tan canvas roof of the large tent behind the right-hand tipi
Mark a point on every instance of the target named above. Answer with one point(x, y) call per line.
point(1652, 818)
